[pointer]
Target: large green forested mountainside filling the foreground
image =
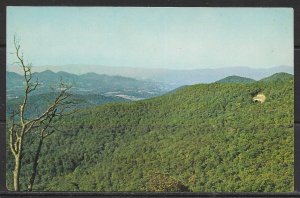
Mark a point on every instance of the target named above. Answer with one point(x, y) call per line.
point(205, 137)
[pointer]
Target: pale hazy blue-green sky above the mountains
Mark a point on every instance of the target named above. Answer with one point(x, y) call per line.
point(177, 38)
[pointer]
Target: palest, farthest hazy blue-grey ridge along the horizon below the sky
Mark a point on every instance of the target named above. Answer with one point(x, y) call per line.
point(173, 78)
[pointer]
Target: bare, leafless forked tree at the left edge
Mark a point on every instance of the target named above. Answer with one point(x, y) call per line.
point(41, 125)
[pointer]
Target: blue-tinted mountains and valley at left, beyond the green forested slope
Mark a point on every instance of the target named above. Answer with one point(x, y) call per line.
point(89, 83)
